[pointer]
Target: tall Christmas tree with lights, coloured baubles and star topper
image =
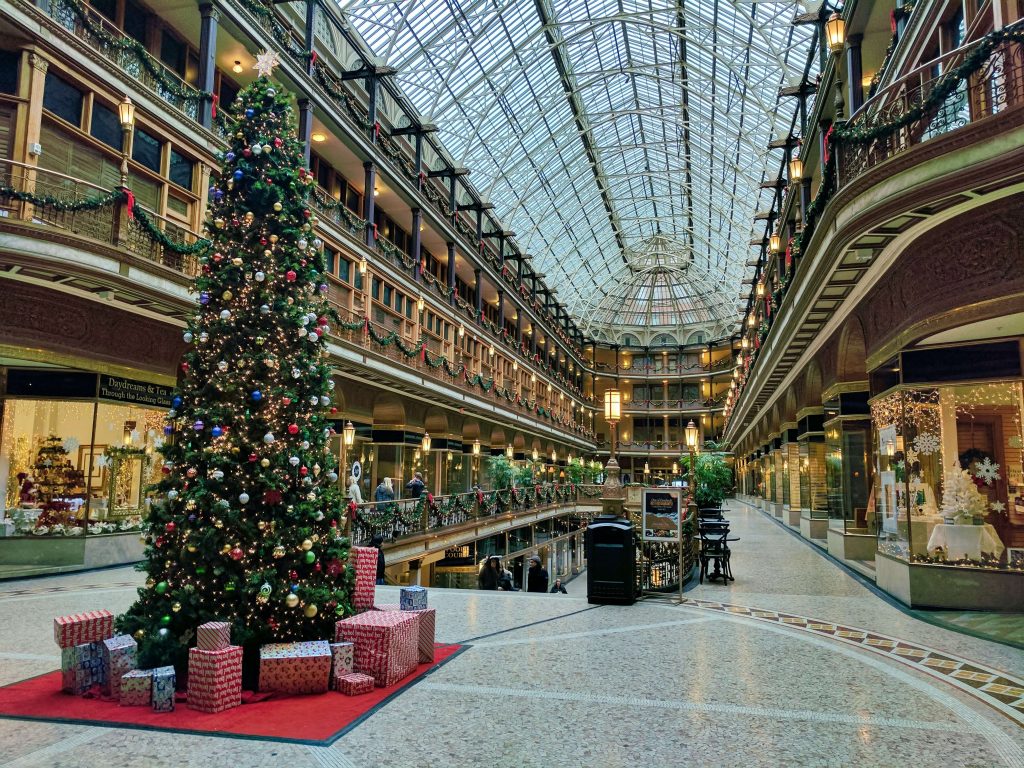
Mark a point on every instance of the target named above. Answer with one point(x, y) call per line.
point(248, 528)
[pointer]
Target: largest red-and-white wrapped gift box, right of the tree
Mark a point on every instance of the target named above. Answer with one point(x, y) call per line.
point(387, 644)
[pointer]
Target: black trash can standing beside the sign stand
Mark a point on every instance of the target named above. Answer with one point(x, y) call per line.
point(611, 562)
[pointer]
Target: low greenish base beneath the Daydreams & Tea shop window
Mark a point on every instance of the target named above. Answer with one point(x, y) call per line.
point(46, 554)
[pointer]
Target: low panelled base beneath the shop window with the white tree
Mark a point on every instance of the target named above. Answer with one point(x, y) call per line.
point(950, 588)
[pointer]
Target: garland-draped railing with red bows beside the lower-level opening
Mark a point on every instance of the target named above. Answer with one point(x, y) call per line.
point(430, 515)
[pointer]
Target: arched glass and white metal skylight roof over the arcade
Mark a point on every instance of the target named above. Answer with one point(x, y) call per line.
point(604, 131)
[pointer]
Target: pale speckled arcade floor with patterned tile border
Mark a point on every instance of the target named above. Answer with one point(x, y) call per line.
point(551, 681)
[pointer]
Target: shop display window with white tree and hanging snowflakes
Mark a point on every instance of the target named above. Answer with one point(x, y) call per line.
point(950, 486)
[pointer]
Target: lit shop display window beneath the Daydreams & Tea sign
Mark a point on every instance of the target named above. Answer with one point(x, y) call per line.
point(73, 468)
